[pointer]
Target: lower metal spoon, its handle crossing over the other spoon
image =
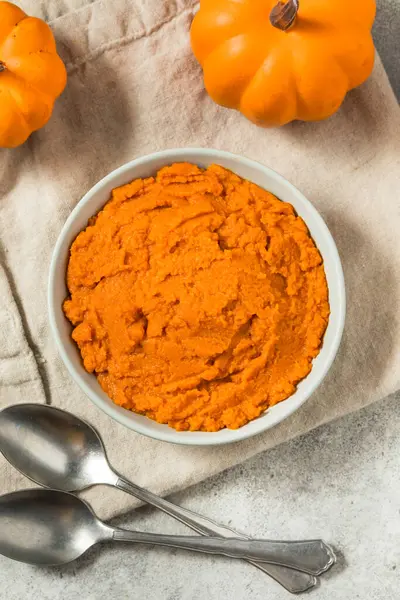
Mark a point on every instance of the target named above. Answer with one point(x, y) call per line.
point(47, 527)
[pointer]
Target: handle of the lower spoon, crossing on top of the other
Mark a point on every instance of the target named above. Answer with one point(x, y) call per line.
point(310, 556)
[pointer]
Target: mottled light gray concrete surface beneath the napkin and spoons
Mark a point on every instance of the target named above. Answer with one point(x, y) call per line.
point(340, 482)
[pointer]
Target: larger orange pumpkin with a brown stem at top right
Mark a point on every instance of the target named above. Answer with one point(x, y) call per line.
point(280, 62)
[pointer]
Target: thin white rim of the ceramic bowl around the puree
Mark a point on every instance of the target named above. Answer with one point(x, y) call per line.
point(169, 434)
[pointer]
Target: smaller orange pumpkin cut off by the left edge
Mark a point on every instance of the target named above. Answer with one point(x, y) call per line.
point(32, 75)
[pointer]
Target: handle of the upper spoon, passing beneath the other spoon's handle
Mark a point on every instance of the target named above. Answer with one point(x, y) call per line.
point(293, 581)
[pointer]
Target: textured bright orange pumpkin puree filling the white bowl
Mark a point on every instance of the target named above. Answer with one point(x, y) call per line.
point(197, 298)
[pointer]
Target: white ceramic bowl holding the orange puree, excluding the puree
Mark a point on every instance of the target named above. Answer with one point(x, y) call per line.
point(94, 200)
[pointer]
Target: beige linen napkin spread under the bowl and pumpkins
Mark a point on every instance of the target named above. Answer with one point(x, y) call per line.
point(134, 87)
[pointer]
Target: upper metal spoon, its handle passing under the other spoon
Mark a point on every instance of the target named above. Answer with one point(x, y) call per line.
point(58, 450)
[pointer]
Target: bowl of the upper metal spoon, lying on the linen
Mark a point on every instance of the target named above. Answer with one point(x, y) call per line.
point(59, 450)
